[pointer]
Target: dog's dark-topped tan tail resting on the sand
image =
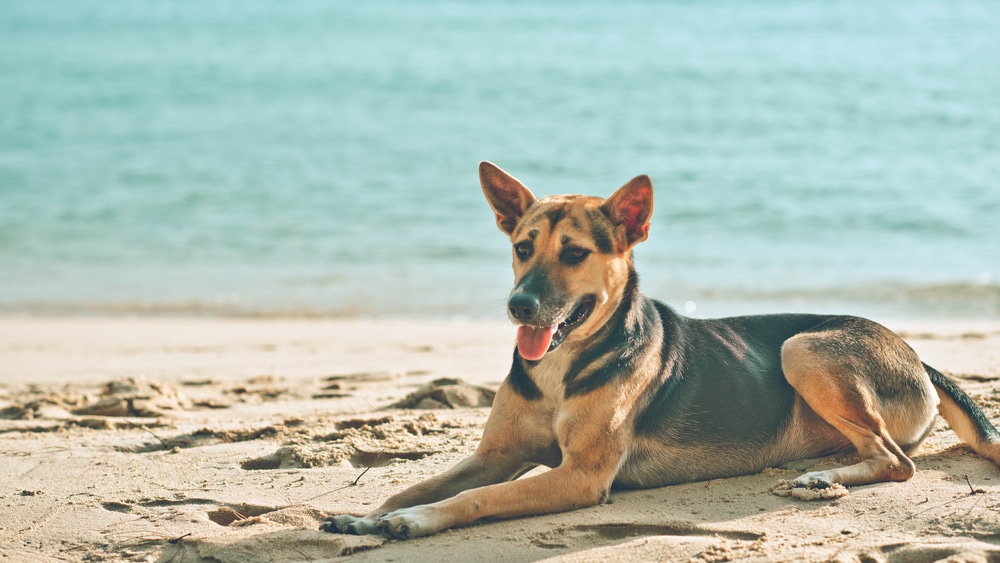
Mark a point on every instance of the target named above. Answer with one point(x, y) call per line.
point(965, 417)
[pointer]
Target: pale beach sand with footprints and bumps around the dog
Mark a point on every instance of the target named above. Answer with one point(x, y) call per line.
point(157, 439)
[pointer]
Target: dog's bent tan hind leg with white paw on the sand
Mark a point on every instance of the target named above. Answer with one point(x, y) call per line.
point(868, 384)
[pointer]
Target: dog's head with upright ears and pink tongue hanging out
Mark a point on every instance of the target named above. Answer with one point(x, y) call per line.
point(572, 256)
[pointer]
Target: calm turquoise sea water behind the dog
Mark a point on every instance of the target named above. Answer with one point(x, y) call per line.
point(254, 157)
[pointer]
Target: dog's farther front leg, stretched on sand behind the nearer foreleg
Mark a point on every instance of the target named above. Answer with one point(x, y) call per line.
point(475, 471)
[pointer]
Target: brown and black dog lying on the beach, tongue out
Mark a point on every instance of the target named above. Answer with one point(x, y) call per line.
point(612, 389)
